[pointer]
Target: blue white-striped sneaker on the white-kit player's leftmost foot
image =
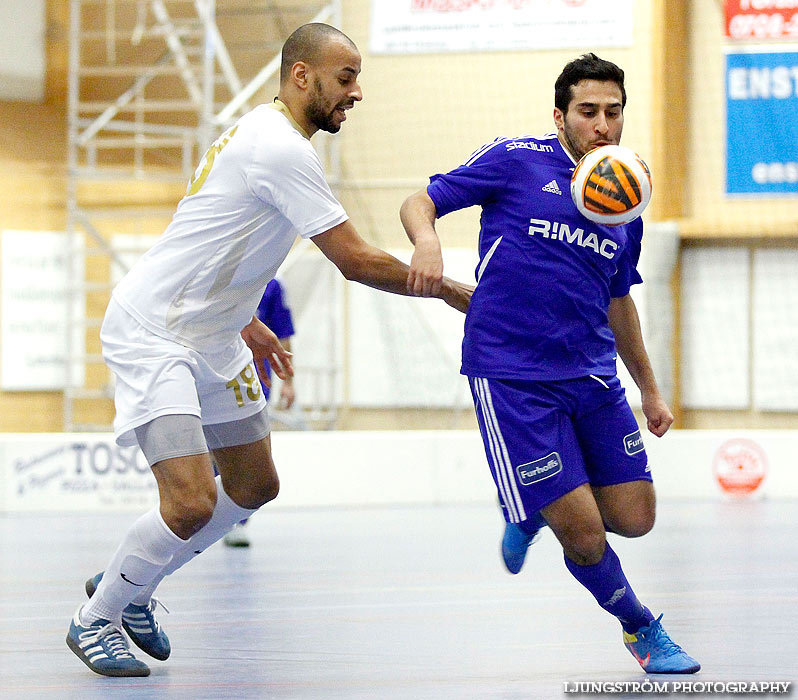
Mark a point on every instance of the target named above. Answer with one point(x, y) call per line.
point(103, 648)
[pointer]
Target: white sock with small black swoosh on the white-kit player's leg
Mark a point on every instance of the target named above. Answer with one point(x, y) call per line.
point(148, 545)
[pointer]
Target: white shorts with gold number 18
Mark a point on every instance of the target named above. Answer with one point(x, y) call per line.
point(158, 377)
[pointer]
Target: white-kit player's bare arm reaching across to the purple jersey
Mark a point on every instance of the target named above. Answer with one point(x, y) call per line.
point(362, 262)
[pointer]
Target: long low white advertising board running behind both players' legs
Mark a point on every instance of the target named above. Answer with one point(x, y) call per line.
point(89, 473)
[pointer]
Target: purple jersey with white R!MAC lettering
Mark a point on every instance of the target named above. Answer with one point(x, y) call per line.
point(546, 274)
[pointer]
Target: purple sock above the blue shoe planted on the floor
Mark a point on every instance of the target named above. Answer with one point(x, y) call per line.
point(608, 584)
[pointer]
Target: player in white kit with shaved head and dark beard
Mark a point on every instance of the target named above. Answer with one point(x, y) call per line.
point(180, 336)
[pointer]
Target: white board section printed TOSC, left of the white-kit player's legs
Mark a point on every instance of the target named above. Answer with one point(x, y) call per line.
point(75, 473)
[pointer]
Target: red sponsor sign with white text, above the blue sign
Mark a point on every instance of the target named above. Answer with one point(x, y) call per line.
point(761, 19)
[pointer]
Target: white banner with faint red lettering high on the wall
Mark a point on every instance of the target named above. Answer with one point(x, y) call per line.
point(439, 26)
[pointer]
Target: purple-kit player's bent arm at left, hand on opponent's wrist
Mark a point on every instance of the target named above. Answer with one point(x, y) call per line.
point(418, 216)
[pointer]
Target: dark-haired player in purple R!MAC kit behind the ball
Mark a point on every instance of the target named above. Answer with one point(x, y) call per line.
point(549, 314)
